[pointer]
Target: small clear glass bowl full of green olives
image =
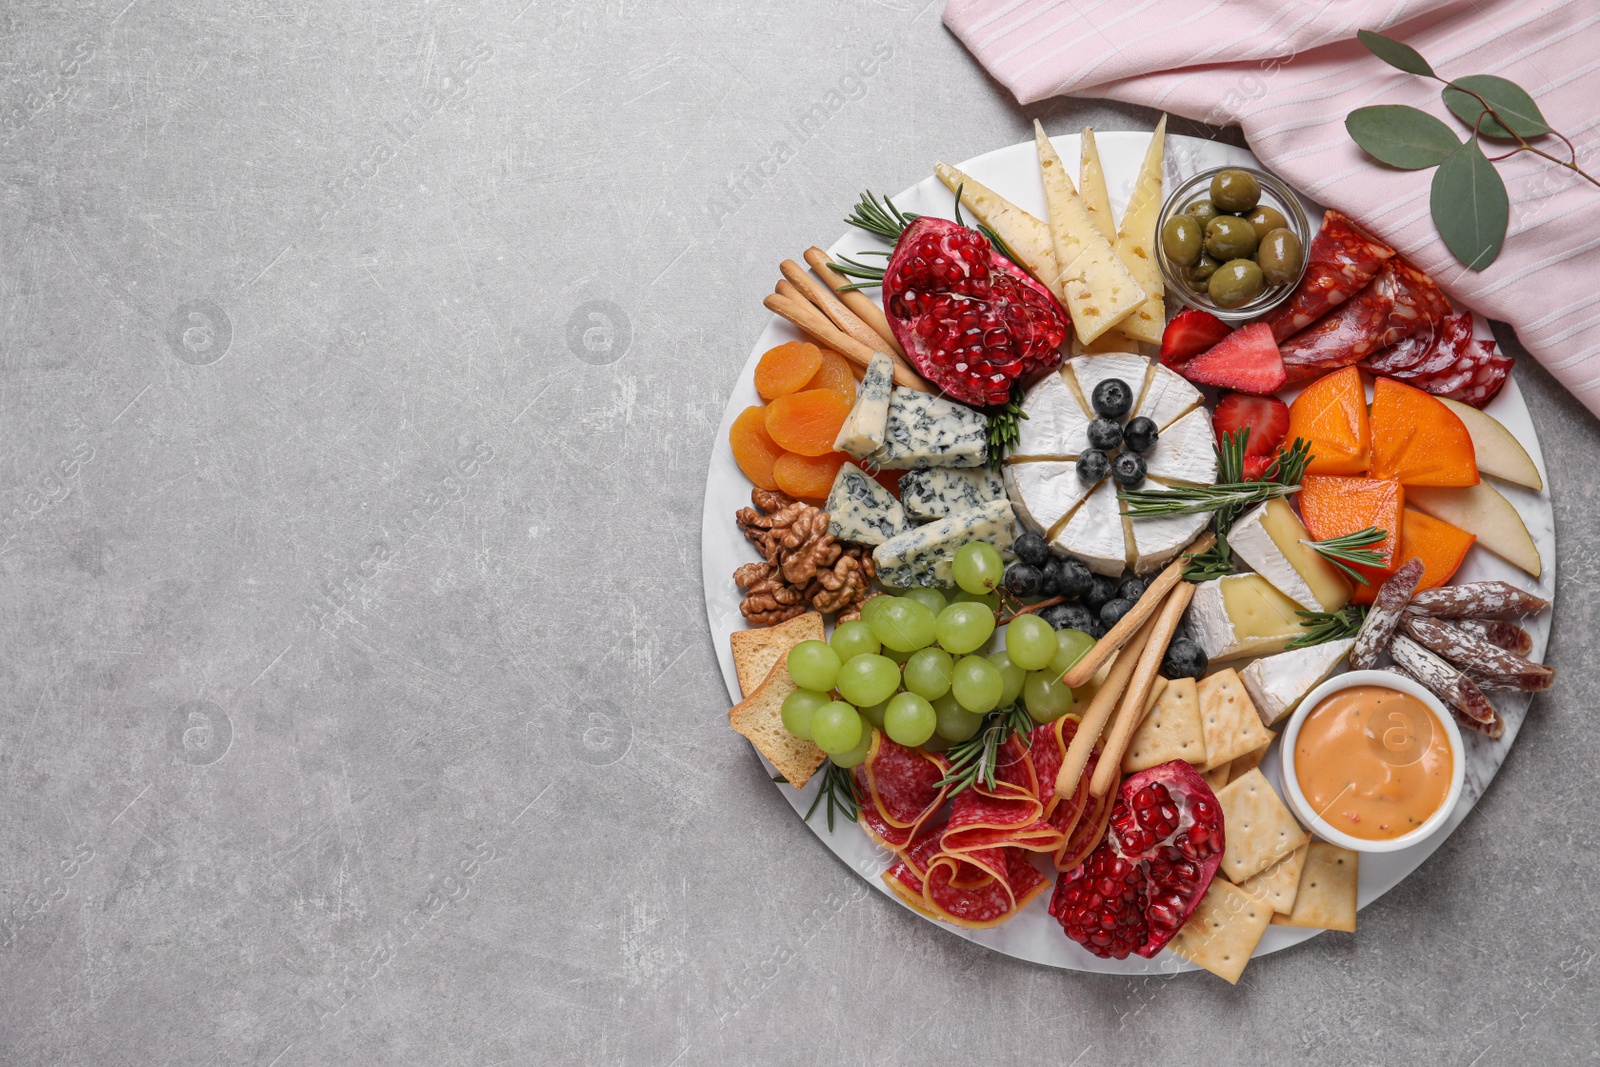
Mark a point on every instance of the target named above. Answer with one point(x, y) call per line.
point(1233, 242)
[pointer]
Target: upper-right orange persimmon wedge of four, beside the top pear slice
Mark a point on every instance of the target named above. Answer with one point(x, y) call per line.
point(1418, 441)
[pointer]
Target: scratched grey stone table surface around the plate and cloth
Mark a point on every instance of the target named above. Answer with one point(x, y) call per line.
point(359, 372)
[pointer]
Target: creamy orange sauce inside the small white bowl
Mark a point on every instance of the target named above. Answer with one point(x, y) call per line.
point(1374, 762)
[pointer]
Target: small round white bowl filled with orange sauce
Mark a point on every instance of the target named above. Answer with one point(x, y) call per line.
point(1372, 762)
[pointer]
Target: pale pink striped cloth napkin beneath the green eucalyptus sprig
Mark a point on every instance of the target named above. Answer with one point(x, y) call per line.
point(1289, 74)
